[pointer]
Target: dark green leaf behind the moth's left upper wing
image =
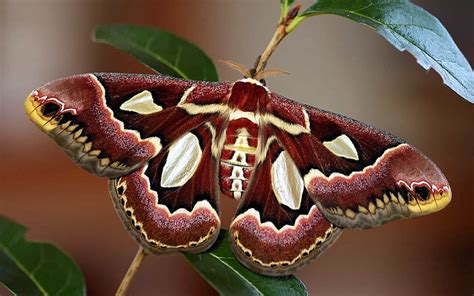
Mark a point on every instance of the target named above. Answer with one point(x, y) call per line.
point(162, 51)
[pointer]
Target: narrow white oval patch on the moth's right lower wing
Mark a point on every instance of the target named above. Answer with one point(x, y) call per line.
point(287, 183)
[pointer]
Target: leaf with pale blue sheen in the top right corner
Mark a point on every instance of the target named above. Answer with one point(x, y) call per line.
point(407, 27)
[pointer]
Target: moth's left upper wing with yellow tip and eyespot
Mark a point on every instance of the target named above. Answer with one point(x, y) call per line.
point(111, 124)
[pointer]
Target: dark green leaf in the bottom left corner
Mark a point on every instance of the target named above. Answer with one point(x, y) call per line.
point(28, 268)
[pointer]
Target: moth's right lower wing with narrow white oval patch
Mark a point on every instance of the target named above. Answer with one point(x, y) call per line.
point(277, 227)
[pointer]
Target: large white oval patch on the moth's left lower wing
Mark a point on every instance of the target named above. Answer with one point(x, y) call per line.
point(182, 162)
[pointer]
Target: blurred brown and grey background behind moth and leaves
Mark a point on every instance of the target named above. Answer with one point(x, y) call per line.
point(336, 65)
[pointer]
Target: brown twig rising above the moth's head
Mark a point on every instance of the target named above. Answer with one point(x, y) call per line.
point(280, 33)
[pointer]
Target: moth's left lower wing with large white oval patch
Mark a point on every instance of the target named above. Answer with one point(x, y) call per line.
point(171, 204)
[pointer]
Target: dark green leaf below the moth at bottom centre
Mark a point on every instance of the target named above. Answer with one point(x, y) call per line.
point(225, 273)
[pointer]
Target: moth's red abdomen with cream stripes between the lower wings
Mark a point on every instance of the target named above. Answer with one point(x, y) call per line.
point(238, 156)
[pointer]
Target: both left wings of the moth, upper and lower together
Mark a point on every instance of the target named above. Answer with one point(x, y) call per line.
point(151, 134)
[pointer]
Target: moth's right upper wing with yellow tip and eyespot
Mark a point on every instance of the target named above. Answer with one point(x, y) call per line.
point(359, 177)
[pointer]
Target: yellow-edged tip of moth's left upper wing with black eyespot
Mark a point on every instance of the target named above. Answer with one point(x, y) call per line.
point(61, 100)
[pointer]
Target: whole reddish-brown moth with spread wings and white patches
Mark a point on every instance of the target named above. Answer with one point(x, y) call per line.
point(171, 148)
